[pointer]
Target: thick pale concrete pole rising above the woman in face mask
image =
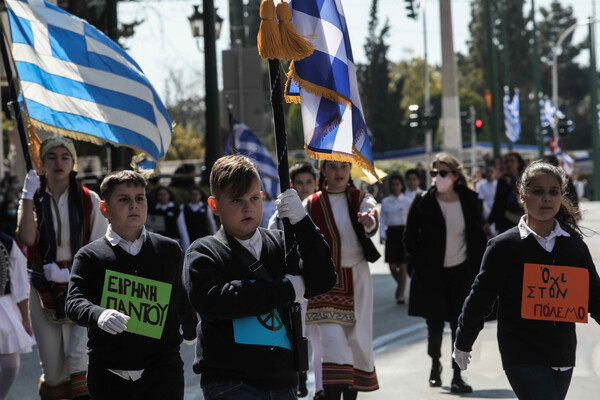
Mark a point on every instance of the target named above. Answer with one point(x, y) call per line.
point(452, 138)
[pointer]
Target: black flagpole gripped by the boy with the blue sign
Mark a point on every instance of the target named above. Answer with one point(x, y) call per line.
point(300, 344)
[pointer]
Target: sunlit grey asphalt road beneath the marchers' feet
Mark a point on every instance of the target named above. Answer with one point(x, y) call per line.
point(400, 349)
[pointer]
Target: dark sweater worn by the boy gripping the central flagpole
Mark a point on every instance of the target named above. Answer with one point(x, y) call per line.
point(224, 292)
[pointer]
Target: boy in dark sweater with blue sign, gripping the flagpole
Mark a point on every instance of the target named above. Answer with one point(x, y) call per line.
point(244, 349)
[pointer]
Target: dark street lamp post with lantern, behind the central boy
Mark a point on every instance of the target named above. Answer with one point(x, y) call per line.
point(208, 25)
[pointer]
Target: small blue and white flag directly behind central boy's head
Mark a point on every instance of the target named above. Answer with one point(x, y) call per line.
point(248, 144)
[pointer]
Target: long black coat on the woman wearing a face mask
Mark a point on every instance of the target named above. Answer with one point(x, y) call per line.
point(425, 241)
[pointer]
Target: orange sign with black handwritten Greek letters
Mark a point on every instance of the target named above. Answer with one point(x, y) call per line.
point(555, 293)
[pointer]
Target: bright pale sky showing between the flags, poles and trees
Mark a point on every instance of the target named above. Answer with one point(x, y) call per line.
point(164, 41)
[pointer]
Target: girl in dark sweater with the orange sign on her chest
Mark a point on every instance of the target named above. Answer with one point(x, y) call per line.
point(534, 269)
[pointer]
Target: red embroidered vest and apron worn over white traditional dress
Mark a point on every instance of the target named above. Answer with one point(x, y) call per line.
point(336, 306)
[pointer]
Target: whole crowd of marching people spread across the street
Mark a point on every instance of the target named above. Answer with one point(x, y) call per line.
point(120, 279)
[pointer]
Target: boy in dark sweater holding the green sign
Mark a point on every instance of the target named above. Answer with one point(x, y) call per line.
point(126, 289)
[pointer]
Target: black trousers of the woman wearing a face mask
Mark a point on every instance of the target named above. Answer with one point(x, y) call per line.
point(455, 288)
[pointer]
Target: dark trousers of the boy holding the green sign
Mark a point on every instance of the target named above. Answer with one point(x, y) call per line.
point(164, 380)
